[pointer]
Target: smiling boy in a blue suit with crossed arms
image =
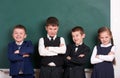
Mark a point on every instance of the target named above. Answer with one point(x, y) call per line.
point(19, 52)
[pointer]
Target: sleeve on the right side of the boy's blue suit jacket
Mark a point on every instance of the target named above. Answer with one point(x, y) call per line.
point(27, 48)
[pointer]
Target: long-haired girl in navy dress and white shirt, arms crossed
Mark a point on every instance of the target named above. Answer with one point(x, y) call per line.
point(103, 55)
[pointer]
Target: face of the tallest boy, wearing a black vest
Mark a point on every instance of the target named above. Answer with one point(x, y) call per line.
point(52, 30)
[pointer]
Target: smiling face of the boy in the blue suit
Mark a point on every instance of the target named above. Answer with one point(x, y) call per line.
point(19, 35)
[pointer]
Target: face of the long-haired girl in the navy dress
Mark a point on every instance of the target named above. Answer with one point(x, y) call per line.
point(105, 37)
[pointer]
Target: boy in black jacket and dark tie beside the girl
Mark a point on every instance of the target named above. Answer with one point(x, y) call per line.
point(76, 55)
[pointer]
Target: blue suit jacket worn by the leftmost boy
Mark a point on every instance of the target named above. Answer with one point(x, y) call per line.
point(17, 61)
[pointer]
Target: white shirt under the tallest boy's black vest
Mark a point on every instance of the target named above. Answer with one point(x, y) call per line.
point(51, 51)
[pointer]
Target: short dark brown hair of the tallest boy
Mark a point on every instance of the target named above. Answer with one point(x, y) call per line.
point(52, 21)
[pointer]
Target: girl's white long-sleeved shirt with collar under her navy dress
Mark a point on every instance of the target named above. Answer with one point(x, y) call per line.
point(102, 58)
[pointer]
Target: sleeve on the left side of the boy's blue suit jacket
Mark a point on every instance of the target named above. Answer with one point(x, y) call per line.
point(12, 56)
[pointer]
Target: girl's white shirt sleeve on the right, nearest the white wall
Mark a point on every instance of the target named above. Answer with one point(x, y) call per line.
point(108, 57)
